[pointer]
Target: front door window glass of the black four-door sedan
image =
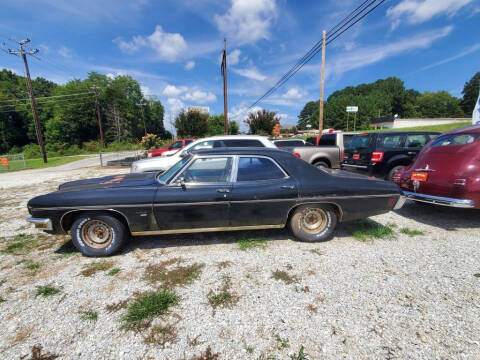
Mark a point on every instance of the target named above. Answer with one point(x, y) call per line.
point(207, 170)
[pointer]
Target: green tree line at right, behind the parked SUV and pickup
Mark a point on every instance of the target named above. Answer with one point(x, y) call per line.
point(386, 98)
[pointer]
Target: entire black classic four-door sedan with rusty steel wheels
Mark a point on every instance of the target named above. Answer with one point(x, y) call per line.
point(212, 190)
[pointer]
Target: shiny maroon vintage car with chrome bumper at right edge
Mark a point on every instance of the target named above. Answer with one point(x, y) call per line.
point(446, 171)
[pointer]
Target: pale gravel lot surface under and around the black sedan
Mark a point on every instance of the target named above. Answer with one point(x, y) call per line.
point(402, 297)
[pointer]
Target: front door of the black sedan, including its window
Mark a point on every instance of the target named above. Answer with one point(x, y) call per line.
point(197, 197)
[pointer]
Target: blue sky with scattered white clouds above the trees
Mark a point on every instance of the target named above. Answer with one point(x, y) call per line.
point(173, 48)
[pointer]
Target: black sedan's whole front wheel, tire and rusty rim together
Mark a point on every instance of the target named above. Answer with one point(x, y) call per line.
point(98, 234)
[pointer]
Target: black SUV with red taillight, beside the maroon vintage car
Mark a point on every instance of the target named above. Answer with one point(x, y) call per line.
point(381, 154)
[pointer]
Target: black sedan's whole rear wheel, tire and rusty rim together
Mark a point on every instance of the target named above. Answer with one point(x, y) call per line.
point(315, 222)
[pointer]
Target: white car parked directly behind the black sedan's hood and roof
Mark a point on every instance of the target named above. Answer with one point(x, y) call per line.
point(163, 163)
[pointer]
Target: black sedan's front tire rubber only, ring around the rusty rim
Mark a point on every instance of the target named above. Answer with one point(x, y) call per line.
point(118, 231)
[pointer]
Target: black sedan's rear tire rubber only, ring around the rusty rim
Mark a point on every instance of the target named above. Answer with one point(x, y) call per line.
point(302, 235)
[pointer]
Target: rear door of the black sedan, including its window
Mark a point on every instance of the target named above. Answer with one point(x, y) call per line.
point(262, 192)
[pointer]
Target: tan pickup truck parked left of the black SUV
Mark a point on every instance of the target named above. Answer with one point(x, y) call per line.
point(327, 150)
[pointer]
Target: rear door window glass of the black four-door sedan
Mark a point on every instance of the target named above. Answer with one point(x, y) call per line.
point(257, 168)
